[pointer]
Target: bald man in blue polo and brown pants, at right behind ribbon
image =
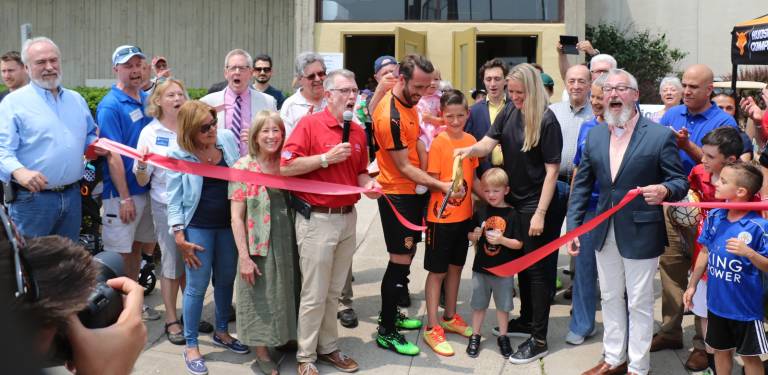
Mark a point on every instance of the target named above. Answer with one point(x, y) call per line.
point(691, 121)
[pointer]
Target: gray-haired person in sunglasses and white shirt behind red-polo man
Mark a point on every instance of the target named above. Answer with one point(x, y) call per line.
point(308, 99)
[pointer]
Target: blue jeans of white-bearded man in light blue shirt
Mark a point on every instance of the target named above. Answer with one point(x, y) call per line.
point(47, 212)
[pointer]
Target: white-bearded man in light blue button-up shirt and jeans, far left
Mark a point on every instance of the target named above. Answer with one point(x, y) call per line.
point(44, 131)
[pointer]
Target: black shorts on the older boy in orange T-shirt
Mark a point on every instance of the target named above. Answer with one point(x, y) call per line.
point(447, 244)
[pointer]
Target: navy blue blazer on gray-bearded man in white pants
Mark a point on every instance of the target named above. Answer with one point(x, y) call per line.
point(651, 158)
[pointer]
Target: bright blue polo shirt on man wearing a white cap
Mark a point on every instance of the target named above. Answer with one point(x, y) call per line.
point(121, 119)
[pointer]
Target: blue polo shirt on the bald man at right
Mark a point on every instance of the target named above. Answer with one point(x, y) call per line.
point(698, 126)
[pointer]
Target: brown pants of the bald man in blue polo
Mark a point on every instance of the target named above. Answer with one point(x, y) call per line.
point(674, 265)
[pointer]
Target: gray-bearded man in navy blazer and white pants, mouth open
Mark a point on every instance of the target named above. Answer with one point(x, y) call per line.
point(630, 152)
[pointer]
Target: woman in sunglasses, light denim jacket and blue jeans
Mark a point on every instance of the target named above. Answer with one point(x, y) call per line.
point(198, 215)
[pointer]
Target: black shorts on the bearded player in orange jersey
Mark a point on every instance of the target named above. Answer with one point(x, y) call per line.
point(398, 238)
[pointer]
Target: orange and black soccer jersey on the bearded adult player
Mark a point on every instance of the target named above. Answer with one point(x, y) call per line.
point(395, 127)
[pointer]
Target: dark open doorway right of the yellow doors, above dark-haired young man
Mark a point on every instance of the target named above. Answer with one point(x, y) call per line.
point(512, 49)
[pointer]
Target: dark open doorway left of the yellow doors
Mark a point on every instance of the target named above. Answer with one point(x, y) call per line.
point(360, 51)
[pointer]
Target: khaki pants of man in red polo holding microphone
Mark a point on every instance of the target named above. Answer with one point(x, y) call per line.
point(326, 245)
